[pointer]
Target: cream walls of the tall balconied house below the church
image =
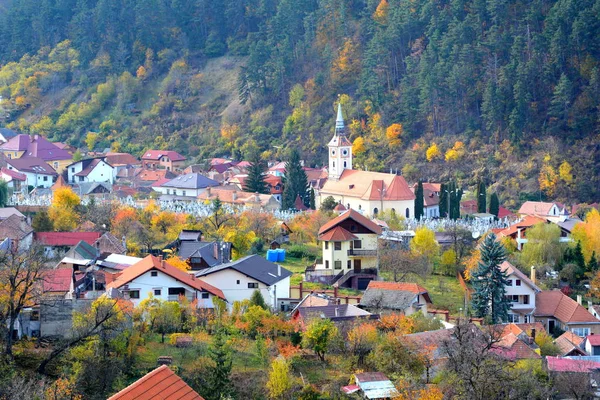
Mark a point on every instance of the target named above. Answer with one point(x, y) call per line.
point(369, 242)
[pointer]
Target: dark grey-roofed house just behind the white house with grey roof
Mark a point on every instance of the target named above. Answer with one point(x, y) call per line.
point(202, 255)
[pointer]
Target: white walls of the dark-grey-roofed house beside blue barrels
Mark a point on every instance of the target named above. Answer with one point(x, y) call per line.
point(227, 280)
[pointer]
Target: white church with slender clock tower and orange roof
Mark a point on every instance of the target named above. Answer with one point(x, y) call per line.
point(367, 192)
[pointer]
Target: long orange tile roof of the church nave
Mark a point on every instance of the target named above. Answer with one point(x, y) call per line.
point(364, 185)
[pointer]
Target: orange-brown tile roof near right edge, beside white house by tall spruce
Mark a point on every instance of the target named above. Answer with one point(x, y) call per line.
point(553, 303)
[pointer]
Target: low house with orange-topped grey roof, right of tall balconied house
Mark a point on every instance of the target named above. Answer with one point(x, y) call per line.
point(402, 297)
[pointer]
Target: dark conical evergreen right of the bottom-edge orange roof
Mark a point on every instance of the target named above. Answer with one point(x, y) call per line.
point(218, 380)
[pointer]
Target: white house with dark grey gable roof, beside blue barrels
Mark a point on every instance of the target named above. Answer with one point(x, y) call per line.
point(240, 278)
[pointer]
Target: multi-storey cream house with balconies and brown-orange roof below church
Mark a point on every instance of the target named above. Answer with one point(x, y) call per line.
point(349, 244)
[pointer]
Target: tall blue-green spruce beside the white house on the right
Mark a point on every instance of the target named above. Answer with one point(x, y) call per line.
point(489, 282)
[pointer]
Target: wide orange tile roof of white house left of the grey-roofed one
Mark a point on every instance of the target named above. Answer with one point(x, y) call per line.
point(150, 263)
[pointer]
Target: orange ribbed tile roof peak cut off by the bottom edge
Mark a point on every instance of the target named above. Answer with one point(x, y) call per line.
point(162, 383)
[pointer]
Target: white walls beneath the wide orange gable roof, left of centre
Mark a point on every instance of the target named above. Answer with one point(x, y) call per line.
point(147, 284)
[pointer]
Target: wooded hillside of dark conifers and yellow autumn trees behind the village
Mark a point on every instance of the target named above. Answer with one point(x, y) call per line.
point(503, 91)
